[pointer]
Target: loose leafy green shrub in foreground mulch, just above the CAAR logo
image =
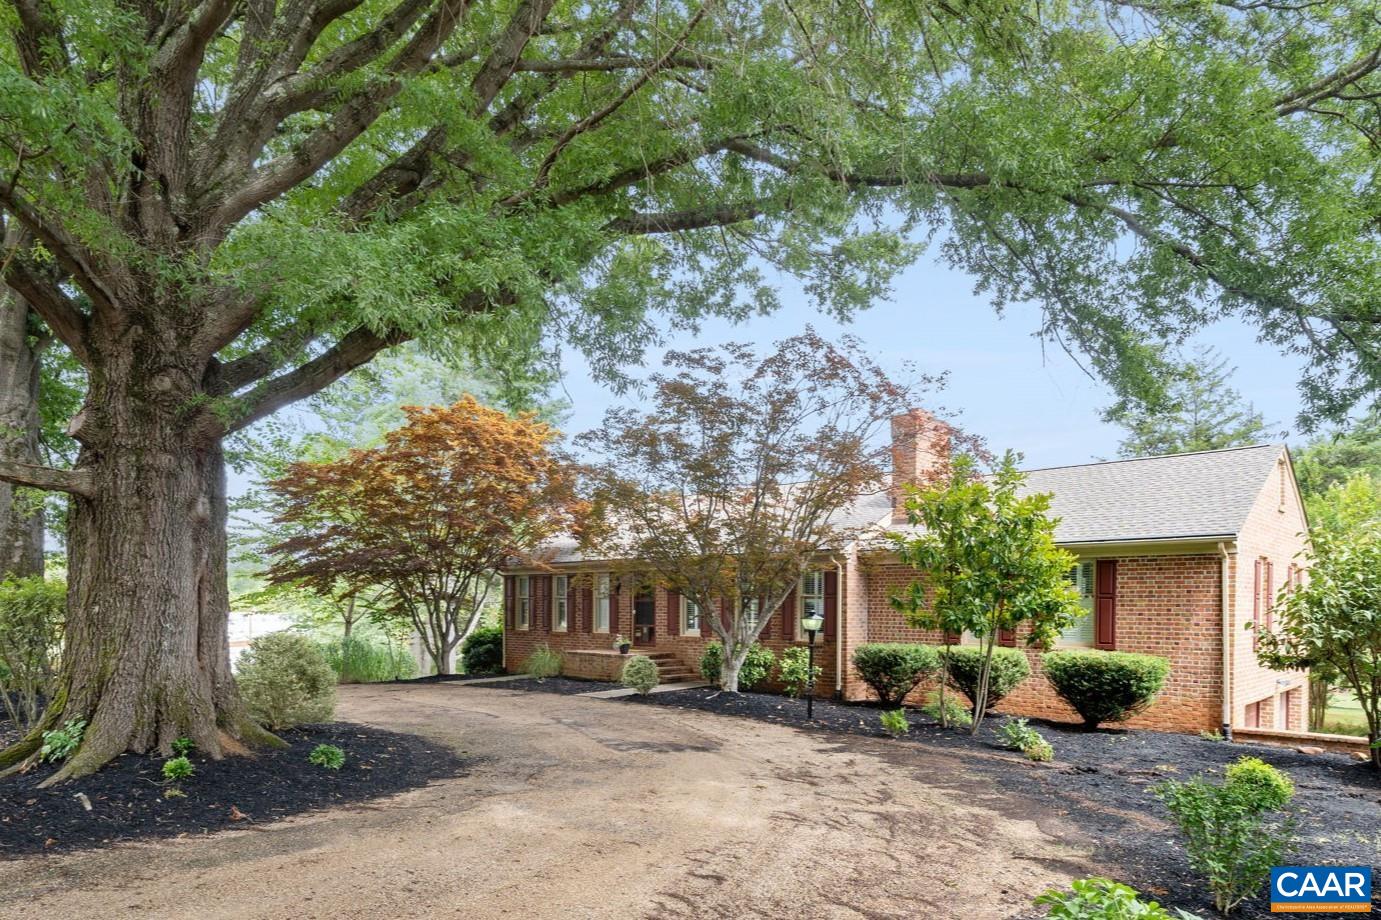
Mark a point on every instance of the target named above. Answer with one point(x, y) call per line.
point(1231, 832)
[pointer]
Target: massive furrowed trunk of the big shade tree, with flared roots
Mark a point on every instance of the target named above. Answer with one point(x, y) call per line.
point(147, 658)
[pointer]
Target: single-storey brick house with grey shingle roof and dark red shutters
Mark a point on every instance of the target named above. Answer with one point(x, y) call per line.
point(1176, 556)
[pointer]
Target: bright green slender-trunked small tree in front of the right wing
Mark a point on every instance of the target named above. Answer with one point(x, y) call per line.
point(989, 564)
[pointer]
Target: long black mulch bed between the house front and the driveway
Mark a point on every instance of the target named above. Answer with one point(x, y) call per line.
point(1103, 784)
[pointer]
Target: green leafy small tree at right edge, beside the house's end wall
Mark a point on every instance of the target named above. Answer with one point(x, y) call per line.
point(1333, 621)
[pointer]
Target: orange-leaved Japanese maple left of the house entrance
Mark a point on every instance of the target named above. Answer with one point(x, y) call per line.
point(427, 517)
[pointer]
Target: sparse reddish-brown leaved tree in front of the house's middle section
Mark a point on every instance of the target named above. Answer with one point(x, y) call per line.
point(728, 483)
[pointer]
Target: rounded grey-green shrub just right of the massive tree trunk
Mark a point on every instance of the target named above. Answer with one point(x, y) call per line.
point(287, 682)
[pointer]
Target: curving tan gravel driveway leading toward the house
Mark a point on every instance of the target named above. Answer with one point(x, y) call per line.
point(590, 809)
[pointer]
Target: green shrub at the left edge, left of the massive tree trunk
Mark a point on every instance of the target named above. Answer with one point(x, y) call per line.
point(31, 639)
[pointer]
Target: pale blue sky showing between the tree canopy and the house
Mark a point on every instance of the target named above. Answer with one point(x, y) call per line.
point(1002, 383)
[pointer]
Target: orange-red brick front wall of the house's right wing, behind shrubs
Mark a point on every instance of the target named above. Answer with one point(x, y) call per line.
point(1168, 606)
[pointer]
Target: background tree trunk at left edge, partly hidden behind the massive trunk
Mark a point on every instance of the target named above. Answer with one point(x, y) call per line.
point(21, 512)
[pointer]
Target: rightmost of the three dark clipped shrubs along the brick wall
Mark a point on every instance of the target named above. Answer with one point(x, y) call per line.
point(1105, 687)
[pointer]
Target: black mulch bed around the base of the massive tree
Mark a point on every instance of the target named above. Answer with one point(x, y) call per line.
point(129, 803)
